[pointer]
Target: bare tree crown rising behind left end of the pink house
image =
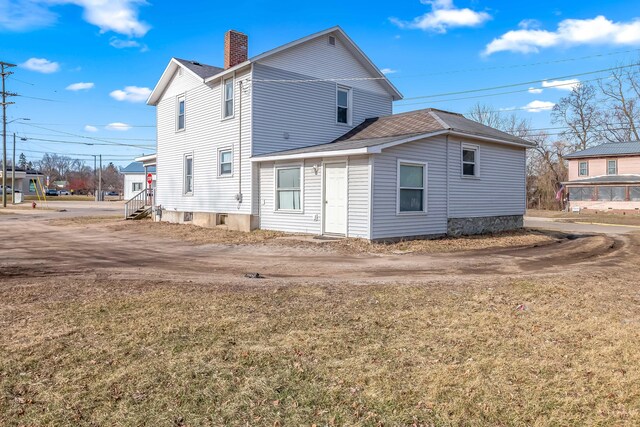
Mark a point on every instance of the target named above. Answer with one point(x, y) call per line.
point(578, 111)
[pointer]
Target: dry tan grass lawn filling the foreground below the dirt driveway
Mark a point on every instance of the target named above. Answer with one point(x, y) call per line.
point(100, 351)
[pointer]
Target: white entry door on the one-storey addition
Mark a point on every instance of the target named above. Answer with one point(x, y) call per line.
point(335, 198)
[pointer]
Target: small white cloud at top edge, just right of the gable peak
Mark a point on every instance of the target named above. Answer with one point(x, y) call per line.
point(443, 15)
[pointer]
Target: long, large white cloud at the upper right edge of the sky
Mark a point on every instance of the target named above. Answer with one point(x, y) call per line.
point(570, 32)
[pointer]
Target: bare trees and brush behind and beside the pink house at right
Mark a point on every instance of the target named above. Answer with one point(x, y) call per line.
point(591, 114)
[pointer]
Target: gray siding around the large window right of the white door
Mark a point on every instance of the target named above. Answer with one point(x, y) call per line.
point(387, 222)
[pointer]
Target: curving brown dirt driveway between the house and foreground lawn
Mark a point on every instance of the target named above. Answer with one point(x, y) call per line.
point(35, 246)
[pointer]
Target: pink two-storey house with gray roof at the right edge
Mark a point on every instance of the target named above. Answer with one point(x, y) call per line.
point(605, 177)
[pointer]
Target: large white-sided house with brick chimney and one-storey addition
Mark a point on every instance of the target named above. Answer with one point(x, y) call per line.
point(301, 139)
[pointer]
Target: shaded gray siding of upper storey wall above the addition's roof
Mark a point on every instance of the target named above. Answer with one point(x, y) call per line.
point(295, 115)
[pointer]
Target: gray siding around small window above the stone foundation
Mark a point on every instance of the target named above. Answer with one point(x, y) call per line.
point(500, 188)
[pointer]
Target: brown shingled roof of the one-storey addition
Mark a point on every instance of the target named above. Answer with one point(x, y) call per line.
point(404, 126)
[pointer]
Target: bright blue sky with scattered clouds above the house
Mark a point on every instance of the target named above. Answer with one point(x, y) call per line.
point(114, 51)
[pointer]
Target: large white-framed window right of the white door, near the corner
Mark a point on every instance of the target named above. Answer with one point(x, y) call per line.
point(411, 187)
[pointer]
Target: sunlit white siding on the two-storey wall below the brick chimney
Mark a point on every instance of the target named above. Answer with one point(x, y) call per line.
point(205, 133)
